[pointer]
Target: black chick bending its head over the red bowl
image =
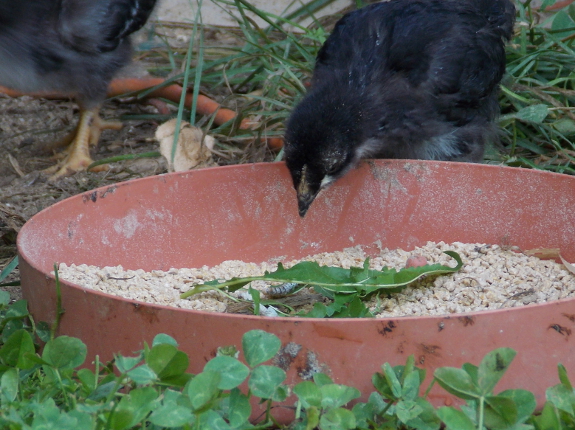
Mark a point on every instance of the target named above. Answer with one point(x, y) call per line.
point(401, 79)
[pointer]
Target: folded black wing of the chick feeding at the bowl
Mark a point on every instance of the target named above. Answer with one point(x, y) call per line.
point(458, 55)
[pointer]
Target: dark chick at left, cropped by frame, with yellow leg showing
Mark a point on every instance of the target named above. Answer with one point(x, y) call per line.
point(72, 47)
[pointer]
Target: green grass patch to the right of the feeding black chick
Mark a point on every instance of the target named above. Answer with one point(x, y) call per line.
point(537, 95)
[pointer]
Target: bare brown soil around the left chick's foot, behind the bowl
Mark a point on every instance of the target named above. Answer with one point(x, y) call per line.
point(28, 125)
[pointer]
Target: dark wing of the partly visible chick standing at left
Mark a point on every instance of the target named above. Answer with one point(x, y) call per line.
point(100, 26)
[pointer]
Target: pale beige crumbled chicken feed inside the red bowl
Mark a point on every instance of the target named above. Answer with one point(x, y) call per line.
point(492, 277)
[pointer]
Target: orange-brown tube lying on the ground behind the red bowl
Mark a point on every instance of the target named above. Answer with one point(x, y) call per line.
point(173, 92)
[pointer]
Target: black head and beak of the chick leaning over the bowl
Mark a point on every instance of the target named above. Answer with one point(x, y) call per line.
point(322, 138)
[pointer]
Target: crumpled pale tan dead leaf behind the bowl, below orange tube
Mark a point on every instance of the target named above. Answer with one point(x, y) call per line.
point(193, 149)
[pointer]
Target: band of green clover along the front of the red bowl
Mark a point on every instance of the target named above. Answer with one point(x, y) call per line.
point(51, 389)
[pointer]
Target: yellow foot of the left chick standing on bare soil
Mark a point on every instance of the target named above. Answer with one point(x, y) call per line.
point(86, 134)
